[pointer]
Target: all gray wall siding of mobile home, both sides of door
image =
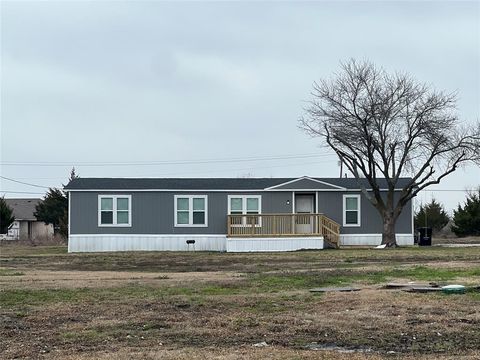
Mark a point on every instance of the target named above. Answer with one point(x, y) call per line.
point(153, 212)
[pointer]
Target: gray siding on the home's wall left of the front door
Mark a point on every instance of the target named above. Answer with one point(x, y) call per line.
point(153, 212)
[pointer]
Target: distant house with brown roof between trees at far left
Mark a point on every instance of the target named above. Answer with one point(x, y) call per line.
point(26, 226)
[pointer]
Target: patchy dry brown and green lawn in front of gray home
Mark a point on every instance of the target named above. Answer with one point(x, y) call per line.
point(217, 305)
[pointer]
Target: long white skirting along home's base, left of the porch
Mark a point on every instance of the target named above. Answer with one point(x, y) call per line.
point(123, 242)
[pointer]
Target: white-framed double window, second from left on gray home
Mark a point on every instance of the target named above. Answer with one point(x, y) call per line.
point(191, 210)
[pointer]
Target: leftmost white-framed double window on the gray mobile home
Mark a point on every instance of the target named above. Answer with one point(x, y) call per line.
point(114, 210)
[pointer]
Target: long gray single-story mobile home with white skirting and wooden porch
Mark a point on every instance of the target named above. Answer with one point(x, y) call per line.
point(218, 214)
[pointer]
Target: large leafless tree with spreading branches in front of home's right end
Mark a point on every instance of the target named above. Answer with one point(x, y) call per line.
point(390, 126)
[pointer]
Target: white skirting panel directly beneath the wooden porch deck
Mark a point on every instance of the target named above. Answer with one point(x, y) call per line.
point(273, 244)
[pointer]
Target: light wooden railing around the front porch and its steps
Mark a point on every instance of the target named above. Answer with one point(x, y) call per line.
point(277, 225)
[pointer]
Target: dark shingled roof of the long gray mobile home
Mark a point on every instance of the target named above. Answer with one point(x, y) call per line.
point(204, 183)
